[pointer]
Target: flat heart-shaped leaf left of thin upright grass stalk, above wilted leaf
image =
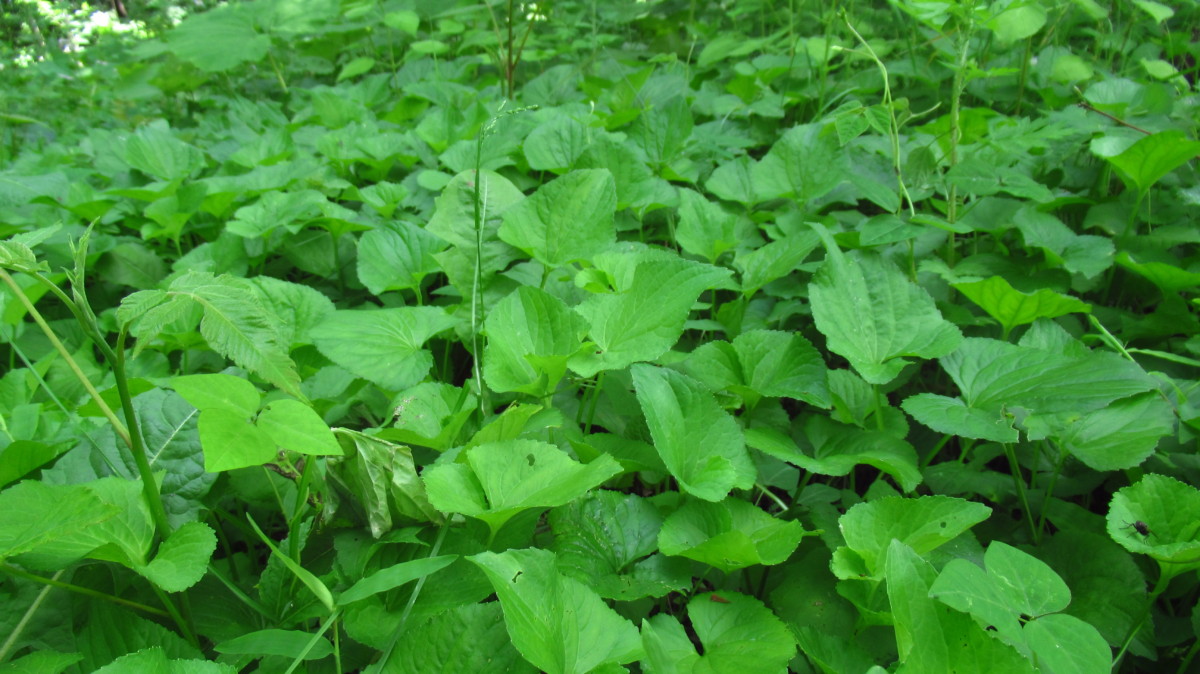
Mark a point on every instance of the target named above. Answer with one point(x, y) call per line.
point(383, 346)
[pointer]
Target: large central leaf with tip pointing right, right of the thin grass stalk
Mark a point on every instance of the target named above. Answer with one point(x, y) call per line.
point(646, 317)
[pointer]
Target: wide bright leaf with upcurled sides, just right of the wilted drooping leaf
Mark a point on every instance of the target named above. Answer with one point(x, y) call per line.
point(500, 480)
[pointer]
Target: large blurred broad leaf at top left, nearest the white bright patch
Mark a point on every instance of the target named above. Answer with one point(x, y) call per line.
point(220, 40)
